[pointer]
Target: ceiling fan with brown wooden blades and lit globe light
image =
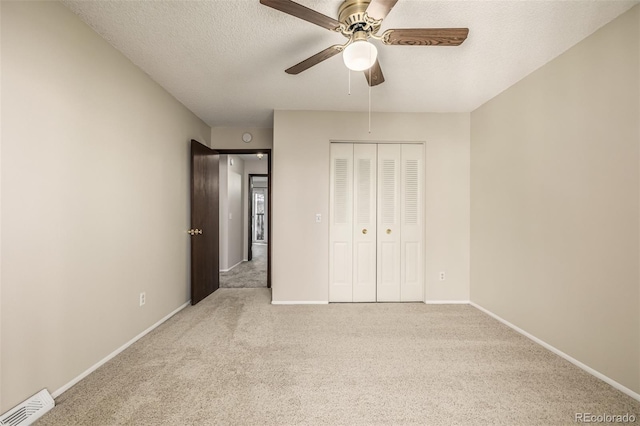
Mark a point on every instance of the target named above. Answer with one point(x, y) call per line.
point(359, 21)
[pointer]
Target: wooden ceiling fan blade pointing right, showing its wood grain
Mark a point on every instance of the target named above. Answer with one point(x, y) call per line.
point(426, 36)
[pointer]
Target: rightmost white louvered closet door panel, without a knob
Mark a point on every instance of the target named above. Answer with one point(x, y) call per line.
point(412, 220)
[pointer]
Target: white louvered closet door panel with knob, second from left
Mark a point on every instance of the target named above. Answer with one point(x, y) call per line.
point(364, 226)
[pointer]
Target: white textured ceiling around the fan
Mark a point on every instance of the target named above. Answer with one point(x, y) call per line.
point(225, 59)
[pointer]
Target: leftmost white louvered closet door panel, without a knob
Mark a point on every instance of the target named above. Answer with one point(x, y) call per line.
point(341, 224)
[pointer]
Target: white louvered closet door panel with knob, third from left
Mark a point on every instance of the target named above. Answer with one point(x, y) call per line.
point(389, 219)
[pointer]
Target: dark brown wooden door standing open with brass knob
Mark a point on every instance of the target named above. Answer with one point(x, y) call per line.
point(205, 164)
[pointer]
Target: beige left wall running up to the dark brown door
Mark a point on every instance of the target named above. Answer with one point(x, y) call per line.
point(94, 199)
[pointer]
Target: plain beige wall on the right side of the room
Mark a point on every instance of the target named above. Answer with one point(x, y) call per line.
point(554, 202)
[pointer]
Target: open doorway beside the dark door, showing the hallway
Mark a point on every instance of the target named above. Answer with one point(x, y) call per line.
point(245, 218)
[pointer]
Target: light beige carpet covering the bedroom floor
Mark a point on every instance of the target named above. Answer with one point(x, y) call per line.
point(235, 359)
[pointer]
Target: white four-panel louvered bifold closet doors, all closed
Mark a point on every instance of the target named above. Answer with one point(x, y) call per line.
point(376, 248)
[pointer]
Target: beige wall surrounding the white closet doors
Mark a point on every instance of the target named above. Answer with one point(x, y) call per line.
point(300, 247)
